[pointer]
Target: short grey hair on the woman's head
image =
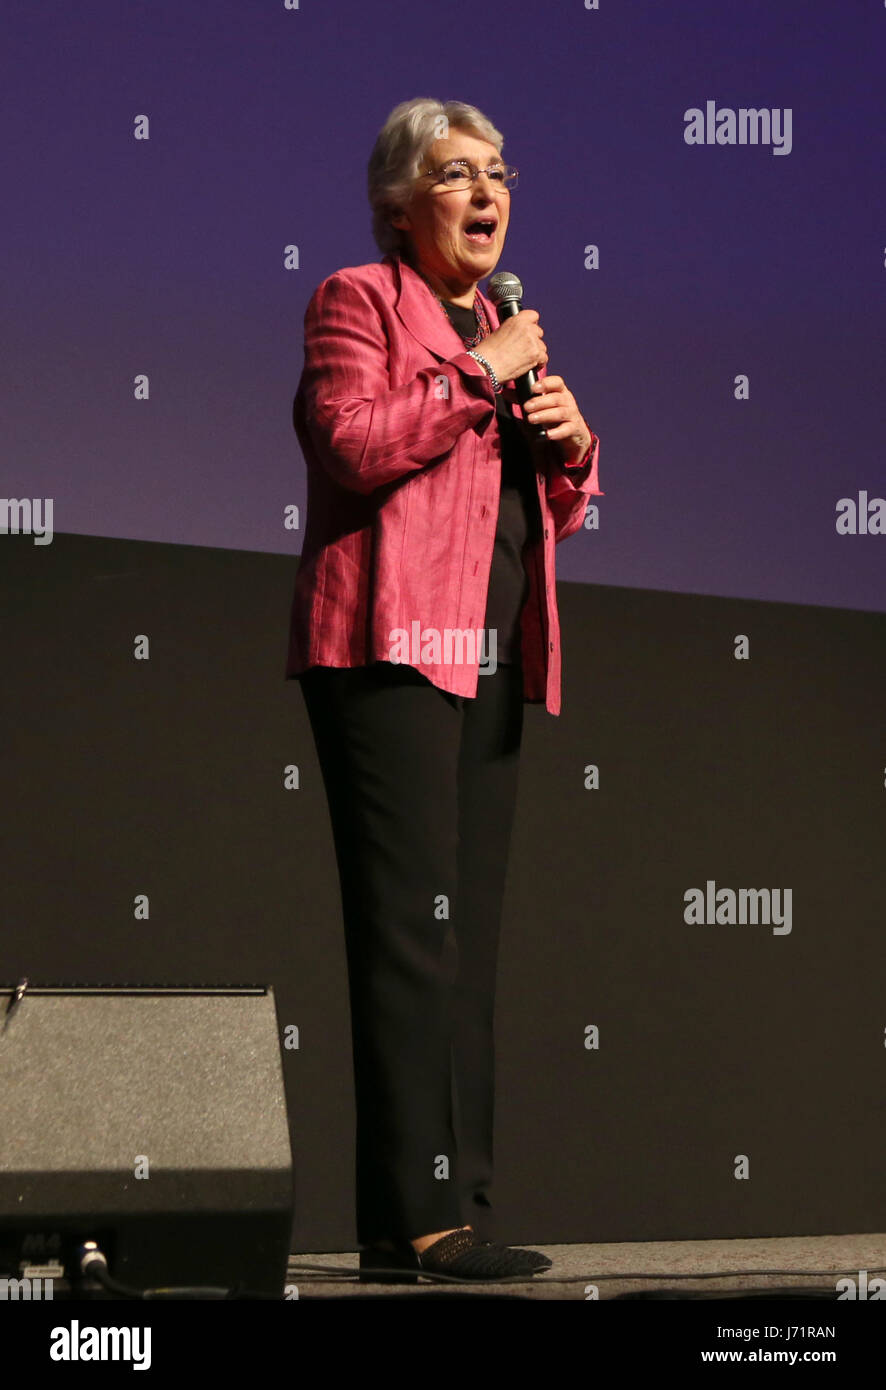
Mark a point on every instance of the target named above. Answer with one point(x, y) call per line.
point(403, 144)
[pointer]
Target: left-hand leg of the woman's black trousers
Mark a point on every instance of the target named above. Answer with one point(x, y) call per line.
point(389, 747)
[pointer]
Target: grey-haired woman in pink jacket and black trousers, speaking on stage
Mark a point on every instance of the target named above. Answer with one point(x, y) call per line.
point(425, 616)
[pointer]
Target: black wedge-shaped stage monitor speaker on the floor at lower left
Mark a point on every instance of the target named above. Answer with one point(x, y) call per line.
point(151, 1121)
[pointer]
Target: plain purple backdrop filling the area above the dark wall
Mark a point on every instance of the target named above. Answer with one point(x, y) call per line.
point(166, 258)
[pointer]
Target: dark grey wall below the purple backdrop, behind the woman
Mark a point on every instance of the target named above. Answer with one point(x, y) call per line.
point(166, 778)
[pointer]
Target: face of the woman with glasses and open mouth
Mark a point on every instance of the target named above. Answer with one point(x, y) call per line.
point(437, 216)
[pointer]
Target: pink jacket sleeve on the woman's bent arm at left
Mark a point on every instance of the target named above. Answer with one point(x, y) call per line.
point(367, 433)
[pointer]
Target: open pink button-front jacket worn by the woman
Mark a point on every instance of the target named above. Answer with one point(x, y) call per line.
point(398, 430)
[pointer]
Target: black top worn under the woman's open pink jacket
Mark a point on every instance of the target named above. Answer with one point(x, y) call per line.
point(519, 519)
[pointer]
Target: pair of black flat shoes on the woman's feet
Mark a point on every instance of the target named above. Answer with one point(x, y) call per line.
point(460, 1254)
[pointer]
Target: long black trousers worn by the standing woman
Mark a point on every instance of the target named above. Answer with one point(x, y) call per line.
point(422, 789)
